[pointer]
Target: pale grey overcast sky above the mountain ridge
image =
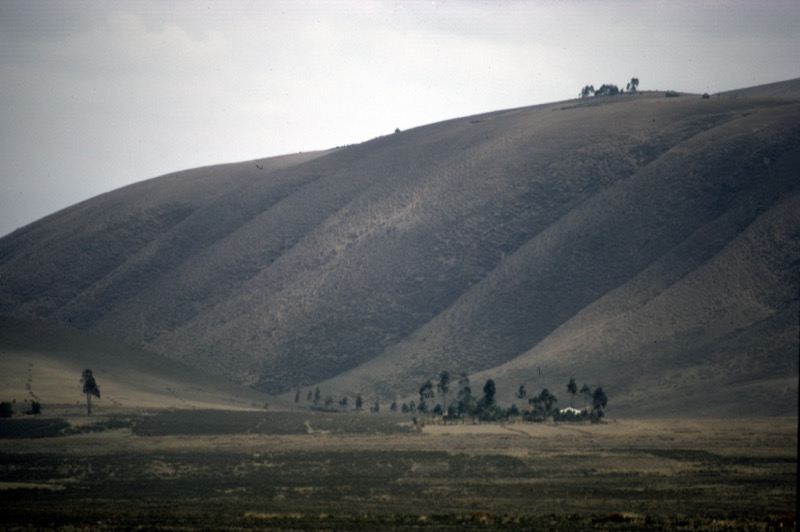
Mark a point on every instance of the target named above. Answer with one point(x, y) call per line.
point(95, 95)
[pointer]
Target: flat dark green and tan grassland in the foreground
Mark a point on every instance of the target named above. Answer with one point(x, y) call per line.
point(174, 469)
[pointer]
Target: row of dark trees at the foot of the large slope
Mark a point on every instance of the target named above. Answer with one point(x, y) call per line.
point(458, 402)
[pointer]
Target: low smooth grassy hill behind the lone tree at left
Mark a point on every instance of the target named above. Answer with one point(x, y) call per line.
point(43, 362)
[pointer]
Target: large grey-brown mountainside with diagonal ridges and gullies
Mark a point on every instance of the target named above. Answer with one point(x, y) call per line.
point(647, 244)
